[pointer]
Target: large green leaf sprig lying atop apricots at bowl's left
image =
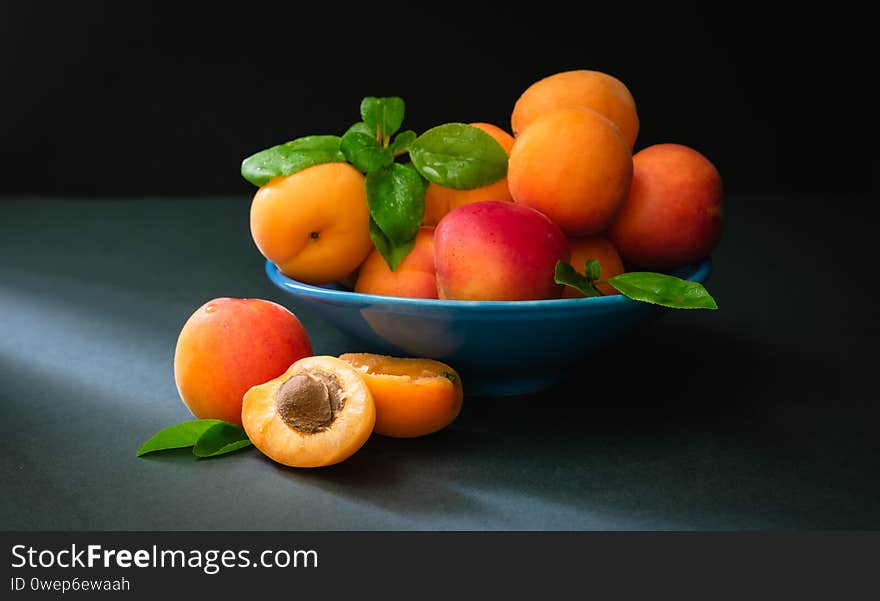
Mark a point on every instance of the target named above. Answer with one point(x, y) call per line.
point(454, 155)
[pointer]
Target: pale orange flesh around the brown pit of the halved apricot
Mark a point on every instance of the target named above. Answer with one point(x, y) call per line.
point(348, 432)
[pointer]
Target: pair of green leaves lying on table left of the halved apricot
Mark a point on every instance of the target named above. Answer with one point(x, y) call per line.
point(207, 437)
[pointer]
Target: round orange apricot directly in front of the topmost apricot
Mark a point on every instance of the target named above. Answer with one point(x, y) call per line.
point(573, 166)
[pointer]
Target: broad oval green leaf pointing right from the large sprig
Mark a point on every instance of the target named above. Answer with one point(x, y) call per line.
point(460, 156)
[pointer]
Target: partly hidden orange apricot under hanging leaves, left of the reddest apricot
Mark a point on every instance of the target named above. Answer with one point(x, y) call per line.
point(414, 277)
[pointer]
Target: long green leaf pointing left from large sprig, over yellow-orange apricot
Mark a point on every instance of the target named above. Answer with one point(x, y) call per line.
point(286, 159)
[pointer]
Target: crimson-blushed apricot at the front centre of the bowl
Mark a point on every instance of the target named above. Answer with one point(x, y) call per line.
point(497, 251)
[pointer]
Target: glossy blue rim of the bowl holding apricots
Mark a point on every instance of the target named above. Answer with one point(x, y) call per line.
point(695, 272)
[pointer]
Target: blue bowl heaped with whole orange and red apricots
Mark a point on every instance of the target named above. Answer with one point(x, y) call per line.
point(475, 282)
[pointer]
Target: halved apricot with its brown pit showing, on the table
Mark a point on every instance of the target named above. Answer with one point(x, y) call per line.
point(319, 412)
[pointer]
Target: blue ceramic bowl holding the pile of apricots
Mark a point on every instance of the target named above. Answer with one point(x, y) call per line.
point(498, 347)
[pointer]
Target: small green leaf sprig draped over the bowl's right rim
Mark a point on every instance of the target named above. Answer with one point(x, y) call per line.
point(647, 287)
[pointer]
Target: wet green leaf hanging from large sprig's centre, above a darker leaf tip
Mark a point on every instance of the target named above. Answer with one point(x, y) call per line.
point(396, 198)
